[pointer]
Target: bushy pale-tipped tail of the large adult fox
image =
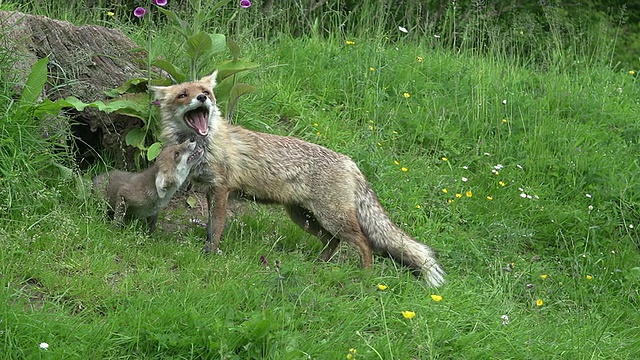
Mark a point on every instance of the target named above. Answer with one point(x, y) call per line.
point(388, 239)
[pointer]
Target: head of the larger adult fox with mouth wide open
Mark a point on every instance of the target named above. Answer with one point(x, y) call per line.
point(188, 107)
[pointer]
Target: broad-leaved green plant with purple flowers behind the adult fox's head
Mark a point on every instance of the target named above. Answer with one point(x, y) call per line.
point(201, 49)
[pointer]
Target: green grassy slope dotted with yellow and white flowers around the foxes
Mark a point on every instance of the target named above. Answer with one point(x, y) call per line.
point(567, 136)
